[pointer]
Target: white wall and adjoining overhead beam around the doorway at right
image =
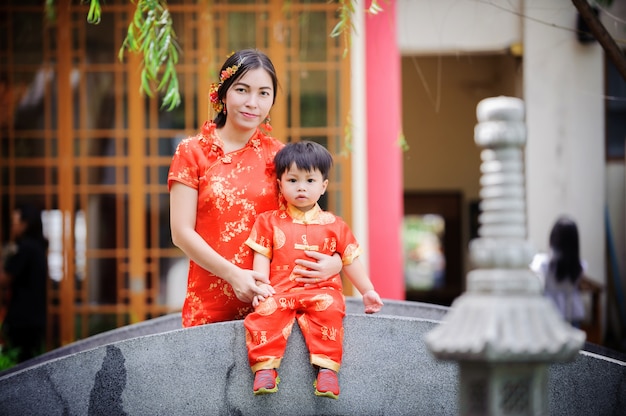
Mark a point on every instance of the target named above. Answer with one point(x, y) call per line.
point(563, 90)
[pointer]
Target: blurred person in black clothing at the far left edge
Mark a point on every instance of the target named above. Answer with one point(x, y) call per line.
point(25, 274)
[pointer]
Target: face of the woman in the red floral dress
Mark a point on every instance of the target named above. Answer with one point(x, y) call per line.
point(249, 99)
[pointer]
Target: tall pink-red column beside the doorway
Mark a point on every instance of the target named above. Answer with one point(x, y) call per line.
point(384, 155)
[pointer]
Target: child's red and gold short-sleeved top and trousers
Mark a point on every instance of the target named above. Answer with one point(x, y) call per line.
point(282, 236)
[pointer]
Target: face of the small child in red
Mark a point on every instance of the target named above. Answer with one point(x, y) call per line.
point(301, 188)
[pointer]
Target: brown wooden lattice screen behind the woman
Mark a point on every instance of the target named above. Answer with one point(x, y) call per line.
point(81, 141)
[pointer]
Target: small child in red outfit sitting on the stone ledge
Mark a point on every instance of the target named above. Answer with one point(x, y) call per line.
point(278, 238)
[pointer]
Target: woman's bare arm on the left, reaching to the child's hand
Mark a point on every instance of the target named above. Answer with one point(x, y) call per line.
point(183, 204)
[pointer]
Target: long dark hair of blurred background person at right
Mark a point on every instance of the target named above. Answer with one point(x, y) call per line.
point(565, 260)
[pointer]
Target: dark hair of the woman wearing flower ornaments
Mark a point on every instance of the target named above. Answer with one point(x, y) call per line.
point(244, 60)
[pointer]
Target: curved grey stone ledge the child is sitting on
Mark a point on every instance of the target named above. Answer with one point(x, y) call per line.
point(387, 370)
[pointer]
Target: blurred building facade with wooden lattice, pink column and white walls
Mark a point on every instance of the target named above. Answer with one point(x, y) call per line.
point(398, 112)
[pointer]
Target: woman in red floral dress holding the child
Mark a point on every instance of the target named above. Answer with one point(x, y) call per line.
point(219, 181)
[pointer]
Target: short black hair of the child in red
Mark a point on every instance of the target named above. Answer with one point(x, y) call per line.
point(307, 155)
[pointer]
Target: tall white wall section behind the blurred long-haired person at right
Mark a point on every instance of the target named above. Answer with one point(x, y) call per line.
point(564, 94)
